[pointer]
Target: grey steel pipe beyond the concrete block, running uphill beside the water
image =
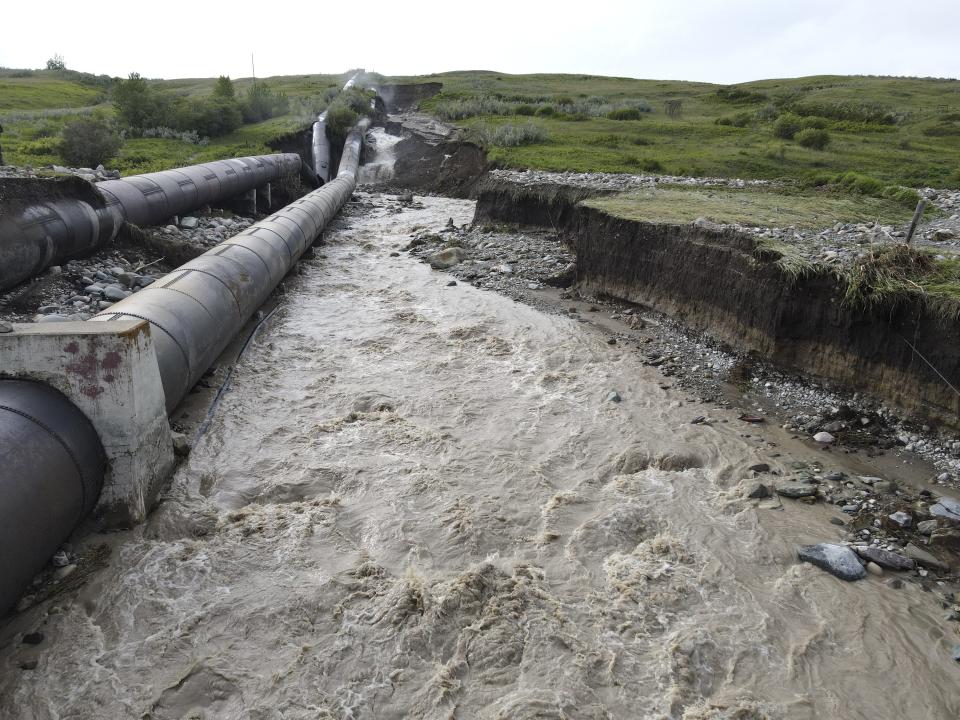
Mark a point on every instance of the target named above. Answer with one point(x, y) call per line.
point(198, 308)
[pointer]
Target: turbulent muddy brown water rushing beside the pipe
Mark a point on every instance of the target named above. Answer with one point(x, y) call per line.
point(418, 501)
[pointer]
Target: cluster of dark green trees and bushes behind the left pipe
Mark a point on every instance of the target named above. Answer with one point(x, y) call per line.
point(141, 106)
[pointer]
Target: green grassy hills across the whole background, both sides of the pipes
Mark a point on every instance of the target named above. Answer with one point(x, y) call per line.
point(898, 130)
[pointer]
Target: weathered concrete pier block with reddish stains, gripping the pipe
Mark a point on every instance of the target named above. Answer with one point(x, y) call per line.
point(109, 371)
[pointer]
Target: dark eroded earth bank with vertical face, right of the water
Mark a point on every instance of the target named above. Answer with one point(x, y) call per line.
point(720, 281)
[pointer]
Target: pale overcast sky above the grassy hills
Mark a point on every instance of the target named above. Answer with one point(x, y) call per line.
point(726, 41)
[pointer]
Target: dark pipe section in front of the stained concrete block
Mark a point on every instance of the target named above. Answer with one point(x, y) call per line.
point(50, 479)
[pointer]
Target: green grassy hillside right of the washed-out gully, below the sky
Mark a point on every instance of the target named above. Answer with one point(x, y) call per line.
point(899, 130)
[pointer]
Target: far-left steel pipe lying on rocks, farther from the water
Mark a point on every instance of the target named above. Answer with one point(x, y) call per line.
point(48, 233)
